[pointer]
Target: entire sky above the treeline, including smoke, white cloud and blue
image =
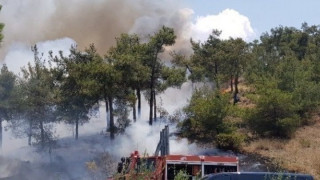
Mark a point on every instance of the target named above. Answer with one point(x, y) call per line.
point(58, 24)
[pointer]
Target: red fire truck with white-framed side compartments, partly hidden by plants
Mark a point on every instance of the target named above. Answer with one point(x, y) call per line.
point(168, 166)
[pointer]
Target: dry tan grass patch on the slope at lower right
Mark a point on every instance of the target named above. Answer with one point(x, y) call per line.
point(299, 154)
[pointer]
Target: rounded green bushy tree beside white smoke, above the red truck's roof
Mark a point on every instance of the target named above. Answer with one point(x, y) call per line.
point(205, 115)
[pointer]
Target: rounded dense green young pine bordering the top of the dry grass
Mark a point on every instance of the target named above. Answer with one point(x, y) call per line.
point(275, 114)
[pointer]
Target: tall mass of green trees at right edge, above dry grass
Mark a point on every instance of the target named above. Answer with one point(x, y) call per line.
point(285, 74)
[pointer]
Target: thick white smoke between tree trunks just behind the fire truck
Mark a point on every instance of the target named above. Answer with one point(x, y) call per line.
point(144, 138)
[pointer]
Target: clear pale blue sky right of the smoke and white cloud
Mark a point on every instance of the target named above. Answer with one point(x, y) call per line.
point(263, 15)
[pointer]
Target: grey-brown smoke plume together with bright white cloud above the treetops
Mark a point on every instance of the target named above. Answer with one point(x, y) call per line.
point(100, 21)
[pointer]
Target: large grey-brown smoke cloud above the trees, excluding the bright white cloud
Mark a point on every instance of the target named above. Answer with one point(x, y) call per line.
point(85, 21)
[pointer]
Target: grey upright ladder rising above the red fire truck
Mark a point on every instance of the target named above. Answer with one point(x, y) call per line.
point(163, 145)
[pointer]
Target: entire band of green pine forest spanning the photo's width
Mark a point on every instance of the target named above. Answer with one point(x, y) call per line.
point(281, 71)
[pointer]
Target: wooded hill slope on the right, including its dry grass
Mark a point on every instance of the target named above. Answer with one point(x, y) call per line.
point(280, 78)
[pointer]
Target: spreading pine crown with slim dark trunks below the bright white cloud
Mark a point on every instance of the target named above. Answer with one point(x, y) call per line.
point(216, 60)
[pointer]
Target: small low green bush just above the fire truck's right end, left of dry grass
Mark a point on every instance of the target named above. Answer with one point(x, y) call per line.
point(231, 141)
